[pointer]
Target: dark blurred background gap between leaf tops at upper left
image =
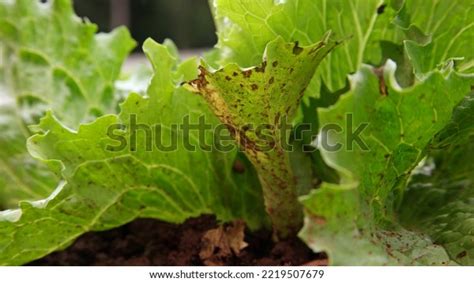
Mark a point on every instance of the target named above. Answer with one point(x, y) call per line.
point(187, 22)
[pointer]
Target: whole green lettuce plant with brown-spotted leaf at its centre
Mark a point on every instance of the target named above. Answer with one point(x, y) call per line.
point(398, 73)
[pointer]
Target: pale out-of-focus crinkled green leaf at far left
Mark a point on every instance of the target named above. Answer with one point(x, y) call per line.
point(51, 60)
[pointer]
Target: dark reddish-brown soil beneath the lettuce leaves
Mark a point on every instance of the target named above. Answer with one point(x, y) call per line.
point(152, 242)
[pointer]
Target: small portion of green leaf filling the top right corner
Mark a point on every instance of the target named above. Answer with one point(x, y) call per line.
point(451, 30)
